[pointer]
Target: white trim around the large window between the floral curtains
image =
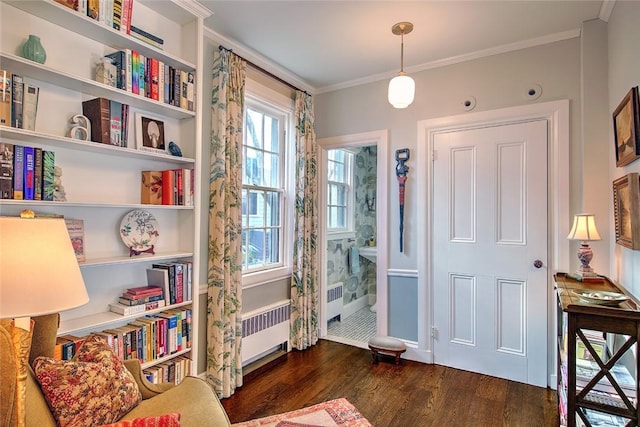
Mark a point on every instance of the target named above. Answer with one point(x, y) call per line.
point(281, 105)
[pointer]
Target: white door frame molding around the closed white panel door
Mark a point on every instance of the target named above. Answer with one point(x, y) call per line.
point(556, 113)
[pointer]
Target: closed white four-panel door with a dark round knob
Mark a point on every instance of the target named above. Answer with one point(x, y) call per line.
point(490, 227)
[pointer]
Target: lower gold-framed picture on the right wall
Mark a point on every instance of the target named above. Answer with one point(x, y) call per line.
point(626, 210)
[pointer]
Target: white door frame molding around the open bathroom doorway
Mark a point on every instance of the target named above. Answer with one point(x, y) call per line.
point(379, 138)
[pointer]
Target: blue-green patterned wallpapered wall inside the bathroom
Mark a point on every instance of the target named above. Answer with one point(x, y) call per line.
point(363, 283)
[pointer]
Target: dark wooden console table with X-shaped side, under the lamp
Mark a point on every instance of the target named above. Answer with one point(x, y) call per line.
point(591, 387)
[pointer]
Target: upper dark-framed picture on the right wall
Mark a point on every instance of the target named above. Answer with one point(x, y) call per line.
point(626, 129)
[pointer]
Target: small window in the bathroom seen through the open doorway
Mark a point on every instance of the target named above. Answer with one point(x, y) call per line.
point(339, 191)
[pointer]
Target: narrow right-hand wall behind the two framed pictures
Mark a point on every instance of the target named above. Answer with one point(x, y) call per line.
point(624, 73)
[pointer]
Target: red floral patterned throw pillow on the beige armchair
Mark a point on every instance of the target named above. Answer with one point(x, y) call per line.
point(93, 388)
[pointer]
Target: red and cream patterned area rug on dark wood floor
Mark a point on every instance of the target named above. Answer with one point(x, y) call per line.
point(338, 412)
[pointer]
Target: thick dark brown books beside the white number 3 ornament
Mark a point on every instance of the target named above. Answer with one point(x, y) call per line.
point(109, 121)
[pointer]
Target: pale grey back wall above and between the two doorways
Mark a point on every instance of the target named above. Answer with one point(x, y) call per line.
point(496, 82)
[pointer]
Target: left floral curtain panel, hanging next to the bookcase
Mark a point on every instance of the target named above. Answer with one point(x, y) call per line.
point(224, 295)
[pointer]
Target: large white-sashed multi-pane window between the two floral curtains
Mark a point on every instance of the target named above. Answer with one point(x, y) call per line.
point(264, 188)
